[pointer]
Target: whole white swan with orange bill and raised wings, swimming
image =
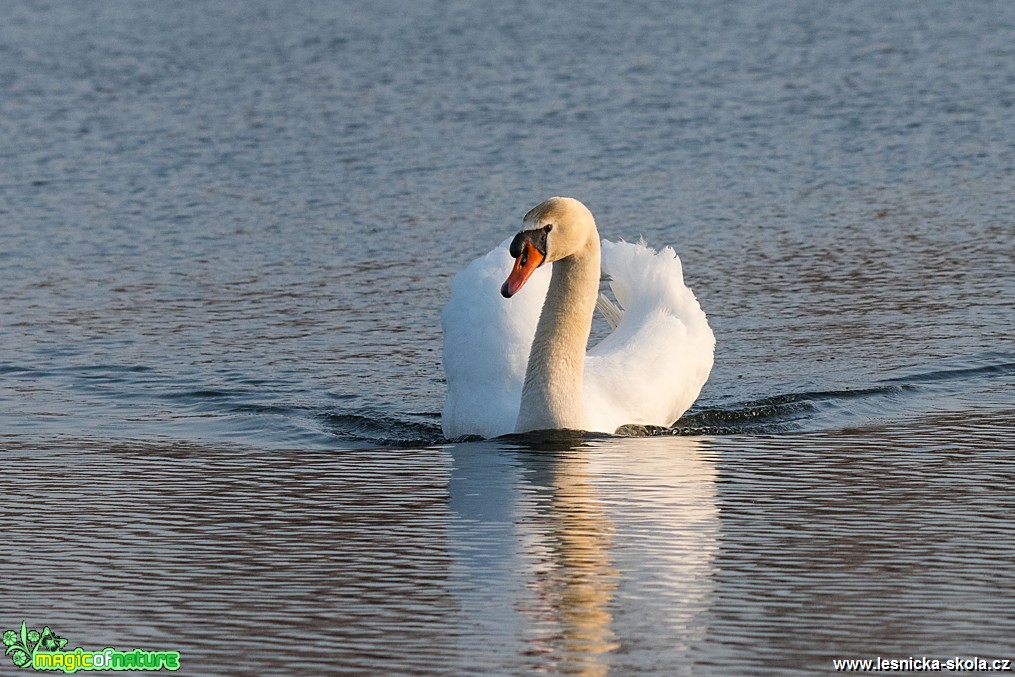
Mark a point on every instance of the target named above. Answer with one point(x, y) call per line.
point(516, 361)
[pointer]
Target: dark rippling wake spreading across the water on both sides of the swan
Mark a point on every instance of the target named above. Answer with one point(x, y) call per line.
point(237, 409)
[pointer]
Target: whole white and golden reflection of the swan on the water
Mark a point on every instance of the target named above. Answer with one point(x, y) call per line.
point(591, 554)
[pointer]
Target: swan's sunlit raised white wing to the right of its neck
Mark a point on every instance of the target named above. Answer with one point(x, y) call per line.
point(652, 368)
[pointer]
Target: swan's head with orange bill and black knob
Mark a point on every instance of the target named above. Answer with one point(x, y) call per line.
point(555, 230)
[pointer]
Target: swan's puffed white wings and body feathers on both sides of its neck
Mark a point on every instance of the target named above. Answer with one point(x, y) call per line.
point(649, 371)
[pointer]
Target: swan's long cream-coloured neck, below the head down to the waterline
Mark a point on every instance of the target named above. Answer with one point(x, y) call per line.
point(552, 396)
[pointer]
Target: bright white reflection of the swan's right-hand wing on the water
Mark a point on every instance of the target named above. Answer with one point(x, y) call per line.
point(659, 495)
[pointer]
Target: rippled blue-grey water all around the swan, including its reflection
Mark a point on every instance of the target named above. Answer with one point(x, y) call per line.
point(227, 231)
